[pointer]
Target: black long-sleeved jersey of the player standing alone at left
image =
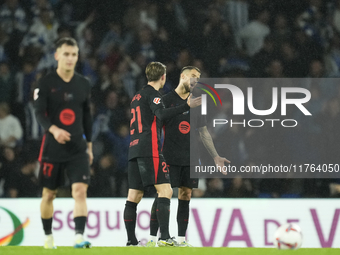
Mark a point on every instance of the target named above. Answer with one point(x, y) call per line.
point(66, 105)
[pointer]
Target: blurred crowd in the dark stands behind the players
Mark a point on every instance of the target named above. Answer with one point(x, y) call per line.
point(117, 39)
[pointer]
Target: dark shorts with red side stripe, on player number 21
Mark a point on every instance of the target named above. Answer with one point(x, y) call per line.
point(144, 172)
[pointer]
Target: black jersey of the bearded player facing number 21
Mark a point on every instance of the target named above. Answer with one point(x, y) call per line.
point(176, 147)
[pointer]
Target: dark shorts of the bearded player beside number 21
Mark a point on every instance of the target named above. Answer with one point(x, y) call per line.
point(180, 177)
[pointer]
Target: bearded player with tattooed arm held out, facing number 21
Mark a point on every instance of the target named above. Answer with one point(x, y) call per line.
point(176, 150)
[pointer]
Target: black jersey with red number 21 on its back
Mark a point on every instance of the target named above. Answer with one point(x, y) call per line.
point(147, 115)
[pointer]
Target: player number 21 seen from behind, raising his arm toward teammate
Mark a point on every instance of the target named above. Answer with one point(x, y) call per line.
point(146, 166)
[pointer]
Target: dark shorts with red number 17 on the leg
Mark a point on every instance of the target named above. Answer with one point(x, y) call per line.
point(52, 175)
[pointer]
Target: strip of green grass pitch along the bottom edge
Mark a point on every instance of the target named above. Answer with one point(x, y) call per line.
point(15, 250)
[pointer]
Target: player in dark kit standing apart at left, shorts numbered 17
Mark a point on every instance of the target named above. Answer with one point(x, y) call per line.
point(62, 109)
